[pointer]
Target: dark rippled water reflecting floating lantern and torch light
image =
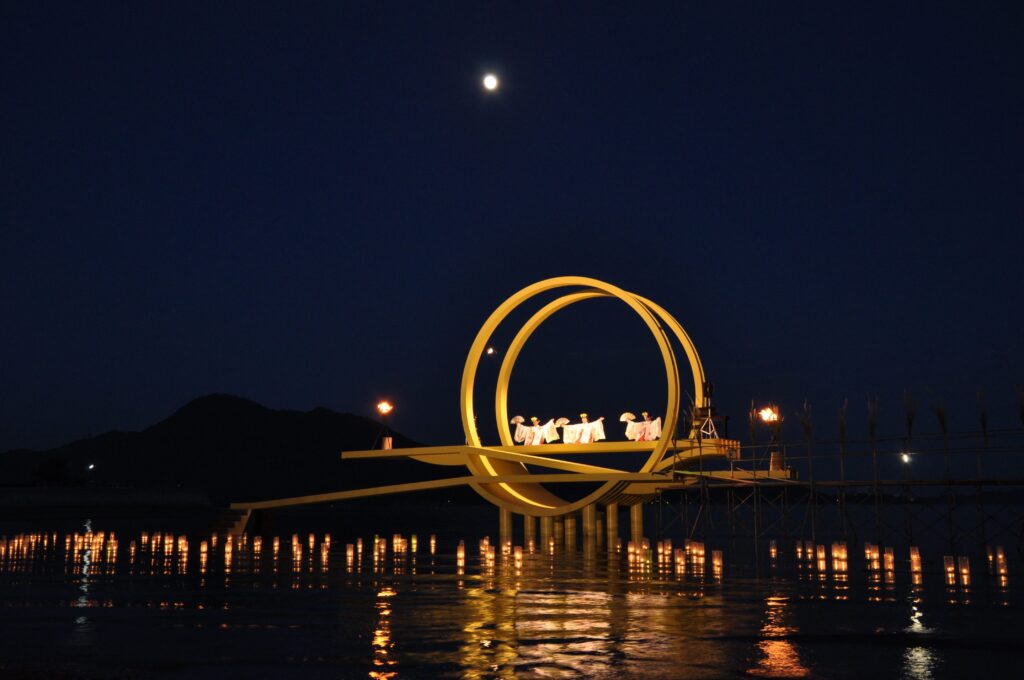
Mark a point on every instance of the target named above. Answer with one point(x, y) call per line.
point(86, 605)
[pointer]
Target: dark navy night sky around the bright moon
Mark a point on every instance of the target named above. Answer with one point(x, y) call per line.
point(318, 204)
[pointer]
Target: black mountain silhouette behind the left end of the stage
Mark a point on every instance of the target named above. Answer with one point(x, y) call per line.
point(230, 448)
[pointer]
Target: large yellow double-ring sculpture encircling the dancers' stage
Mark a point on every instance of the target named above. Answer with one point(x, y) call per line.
point(532, 498)
